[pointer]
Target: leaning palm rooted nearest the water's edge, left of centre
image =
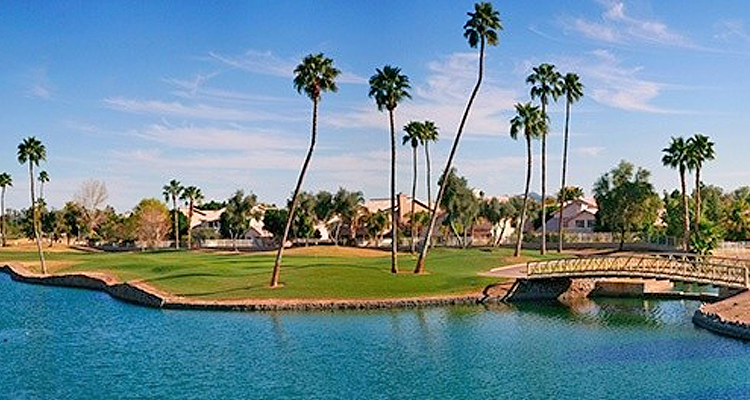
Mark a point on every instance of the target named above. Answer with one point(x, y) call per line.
point(314, 75)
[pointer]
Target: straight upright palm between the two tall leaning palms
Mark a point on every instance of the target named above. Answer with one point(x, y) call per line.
point(389, 87)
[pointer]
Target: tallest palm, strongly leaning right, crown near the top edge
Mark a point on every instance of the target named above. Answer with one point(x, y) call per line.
point(480, 30)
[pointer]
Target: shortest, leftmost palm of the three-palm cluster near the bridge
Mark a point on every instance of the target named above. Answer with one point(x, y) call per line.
point(531, 122)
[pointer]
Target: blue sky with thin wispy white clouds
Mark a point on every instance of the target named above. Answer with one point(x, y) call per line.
point(136, 93)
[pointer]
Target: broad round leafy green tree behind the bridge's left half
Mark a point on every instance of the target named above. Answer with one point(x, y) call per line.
point(627, 201)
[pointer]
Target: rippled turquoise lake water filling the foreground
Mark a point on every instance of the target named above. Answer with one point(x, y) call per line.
point(60, 343)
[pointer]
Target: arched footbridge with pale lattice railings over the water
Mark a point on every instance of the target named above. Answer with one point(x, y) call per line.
point(718, 271)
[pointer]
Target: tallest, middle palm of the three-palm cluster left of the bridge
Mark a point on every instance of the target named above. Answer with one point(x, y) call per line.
point(545, 83)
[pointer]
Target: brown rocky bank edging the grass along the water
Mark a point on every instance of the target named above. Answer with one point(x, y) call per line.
point(142, 294)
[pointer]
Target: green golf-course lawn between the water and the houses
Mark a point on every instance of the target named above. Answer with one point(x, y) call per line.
point(308, 273)
